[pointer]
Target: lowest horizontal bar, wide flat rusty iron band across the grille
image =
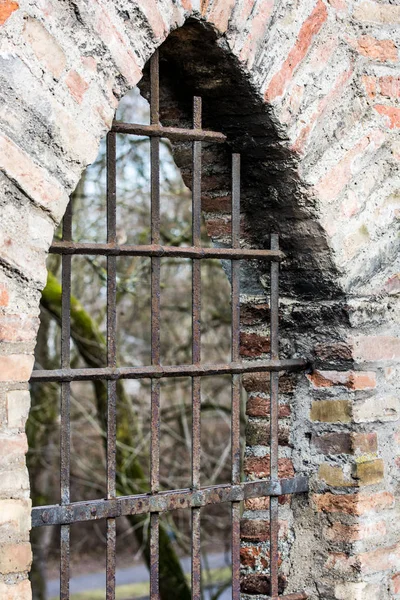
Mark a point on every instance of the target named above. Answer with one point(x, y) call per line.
point(164, 501)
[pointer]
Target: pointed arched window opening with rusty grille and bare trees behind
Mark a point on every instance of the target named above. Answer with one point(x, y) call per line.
point(148, 353)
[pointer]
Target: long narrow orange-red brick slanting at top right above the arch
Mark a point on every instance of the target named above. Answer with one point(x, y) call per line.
point(308, 31)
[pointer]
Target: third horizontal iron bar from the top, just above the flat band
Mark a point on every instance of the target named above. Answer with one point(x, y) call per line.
point(155, 371)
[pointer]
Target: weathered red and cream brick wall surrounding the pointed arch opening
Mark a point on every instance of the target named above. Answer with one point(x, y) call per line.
point(315, 86)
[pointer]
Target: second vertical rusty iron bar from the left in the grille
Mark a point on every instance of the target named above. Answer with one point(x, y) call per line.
point(111, 361)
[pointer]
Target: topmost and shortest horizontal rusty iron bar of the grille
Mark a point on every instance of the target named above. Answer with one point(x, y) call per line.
point(171, 133)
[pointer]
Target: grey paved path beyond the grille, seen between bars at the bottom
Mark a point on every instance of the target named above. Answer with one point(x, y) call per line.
point(135, 574)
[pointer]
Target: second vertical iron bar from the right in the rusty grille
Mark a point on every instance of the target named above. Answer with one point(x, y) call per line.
point(235, 418)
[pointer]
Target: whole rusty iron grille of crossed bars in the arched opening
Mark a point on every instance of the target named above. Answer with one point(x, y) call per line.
point(194, 498)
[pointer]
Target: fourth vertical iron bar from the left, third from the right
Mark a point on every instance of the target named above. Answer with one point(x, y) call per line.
point(196, 351)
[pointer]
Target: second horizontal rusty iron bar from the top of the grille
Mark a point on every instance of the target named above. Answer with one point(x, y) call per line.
point(59, 247)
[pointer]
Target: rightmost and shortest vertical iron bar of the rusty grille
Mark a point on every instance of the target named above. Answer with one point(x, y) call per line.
point(274, 448)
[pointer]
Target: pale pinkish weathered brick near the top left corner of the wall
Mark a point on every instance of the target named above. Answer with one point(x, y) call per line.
point(46, 48)
